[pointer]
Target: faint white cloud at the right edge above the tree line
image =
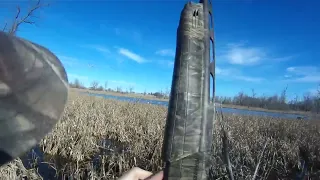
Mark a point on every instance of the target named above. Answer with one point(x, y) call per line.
point(306, 74)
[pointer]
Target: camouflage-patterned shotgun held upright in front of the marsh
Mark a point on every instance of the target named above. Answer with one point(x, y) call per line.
point(188, 131)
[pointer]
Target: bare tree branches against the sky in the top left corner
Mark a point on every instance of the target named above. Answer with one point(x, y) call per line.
point(20, 19)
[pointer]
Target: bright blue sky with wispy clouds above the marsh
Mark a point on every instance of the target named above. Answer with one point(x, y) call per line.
point(265, 45)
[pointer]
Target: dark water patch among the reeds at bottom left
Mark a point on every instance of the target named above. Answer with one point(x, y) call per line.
point(57, 167)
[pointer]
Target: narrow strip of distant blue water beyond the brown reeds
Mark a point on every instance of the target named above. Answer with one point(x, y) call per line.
point(223, 109)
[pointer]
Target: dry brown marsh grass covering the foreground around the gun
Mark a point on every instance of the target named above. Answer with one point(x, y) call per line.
point(76, 147)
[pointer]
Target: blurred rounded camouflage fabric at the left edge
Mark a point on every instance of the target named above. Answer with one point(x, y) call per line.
point(33, 94)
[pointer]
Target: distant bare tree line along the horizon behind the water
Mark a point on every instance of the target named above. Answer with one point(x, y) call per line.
point(307, 102)
